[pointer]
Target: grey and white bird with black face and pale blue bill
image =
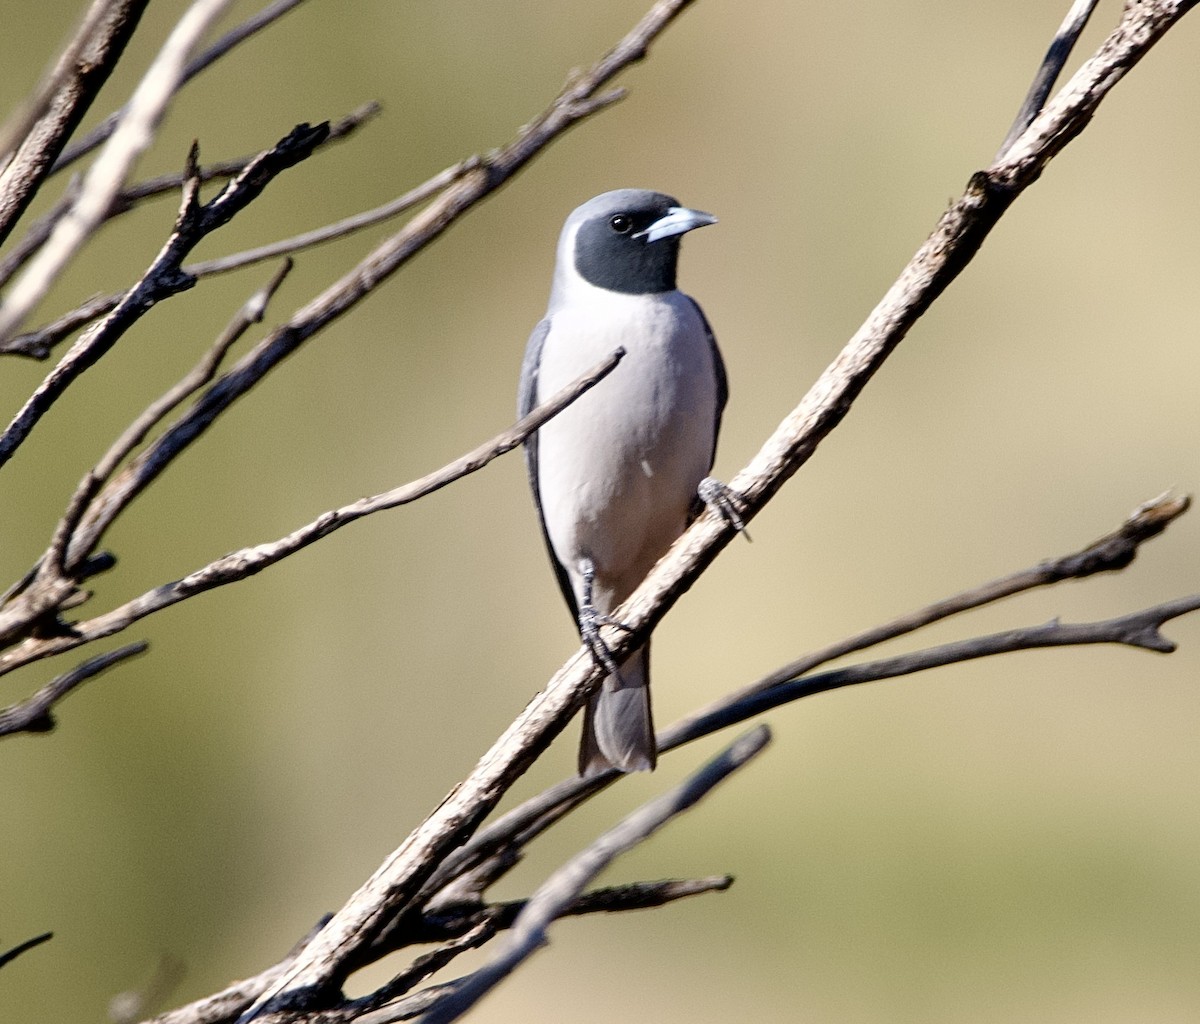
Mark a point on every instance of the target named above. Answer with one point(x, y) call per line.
point(620, 475)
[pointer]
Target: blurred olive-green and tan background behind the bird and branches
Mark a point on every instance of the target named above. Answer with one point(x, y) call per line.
point(1012, 840)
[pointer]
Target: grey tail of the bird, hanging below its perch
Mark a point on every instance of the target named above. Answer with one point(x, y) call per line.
point(619, 730)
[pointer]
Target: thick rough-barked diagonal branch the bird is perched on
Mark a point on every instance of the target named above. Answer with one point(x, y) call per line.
point(955, 242)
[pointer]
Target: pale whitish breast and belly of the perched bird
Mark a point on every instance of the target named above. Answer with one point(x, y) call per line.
point(619, 470)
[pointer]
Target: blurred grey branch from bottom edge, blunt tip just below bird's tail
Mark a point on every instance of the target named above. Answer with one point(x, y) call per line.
point(565, 887)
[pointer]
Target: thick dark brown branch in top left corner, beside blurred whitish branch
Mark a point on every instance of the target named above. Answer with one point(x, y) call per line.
point(35, 140)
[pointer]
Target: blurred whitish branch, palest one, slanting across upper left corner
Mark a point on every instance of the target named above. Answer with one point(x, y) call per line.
point(109, 173)
